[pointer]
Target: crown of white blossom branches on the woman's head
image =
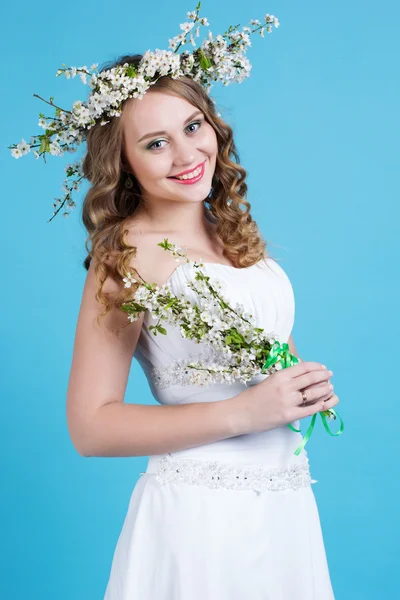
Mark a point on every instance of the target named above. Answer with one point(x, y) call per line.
point(217, 59)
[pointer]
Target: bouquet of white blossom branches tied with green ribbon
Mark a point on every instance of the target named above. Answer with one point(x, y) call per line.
point(243, 349)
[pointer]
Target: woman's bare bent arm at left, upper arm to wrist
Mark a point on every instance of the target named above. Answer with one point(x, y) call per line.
point(100, 422)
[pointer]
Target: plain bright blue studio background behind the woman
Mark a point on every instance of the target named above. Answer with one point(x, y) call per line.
point(317, 127)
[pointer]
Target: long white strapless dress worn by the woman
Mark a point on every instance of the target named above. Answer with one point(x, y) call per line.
point(186, 535)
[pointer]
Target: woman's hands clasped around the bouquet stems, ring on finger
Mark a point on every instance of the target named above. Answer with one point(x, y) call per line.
point(277, 400)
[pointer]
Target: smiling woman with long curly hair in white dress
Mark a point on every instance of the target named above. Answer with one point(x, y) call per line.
point(151, 172)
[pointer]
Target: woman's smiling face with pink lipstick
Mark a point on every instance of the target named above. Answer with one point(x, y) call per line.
point(165, 136)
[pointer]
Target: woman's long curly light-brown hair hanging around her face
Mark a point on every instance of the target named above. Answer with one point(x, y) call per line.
point(109, 203)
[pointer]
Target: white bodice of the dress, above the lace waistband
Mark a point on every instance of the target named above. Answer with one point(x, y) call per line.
point(265, 291)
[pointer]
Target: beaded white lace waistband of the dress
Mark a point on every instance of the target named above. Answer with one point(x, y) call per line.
point(216, 474)
